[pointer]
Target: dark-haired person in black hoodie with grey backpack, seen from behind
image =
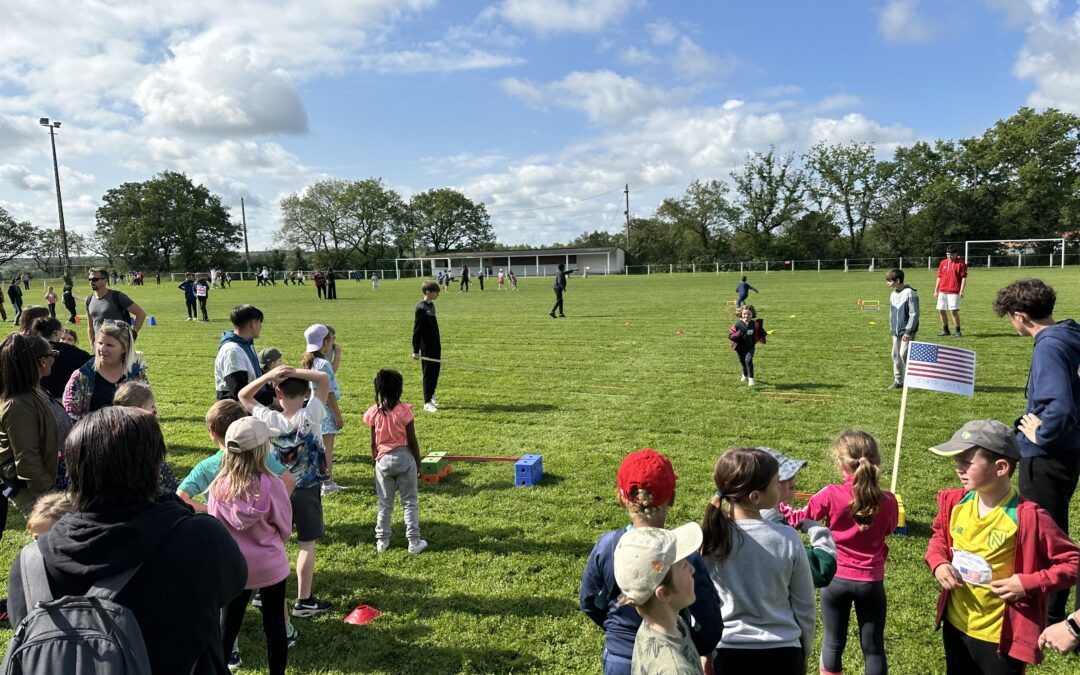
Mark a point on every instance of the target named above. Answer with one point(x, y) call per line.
point(190, 568)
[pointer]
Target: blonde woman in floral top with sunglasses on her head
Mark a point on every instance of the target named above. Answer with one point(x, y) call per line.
point(93, 386)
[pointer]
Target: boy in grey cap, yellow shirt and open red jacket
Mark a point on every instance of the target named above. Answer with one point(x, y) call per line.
point(996, 556)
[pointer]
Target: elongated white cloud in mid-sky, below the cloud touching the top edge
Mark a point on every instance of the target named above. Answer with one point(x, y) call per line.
point(602, 96)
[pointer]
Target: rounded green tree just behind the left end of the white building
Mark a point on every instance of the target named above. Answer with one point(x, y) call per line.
point(447, 220)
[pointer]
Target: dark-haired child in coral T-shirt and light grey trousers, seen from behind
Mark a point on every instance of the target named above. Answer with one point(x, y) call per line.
point(397, 455)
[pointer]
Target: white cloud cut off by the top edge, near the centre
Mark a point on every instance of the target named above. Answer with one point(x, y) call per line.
point(549, 17)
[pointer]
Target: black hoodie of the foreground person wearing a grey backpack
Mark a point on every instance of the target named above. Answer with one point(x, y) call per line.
point(178, 597)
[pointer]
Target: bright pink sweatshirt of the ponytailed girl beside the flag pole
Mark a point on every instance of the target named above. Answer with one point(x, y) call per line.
point(860, 555)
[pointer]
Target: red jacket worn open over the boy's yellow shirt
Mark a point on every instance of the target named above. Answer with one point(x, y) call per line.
point(1046, 561)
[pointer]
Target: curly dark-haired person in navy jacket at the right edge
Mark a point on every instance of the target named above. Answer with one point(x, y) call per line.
point(1049, 431)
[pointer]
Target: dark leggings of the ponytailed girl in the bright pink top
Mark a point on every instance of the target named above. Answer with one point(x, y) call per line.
point(870, 602)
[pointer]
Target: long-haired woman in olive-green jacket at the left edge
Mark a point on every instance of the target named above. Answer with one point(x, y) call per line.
point(30, 435)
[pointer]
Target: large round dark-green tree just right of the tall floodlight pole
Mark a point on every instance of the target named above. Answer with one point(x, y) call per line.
point(167, 222)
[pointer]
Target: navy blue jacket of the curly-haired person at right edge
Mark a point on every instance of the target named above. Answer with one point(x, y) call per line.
point(1054, 391)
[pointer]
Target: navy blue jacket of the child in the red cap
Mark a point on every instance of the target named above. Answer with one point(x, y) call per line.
point(600, 597)
